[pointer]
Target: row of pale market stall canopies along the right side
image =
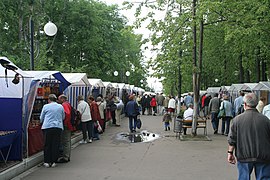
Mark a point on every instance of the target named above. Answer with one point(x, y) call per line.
point(261, 89)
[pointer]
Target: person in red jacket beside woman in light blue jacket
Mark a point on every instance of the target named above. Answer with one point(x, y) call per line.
point(66, 133)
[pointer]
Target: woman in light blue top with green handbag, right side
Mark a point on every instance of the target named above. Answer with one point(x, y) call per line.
point(227, 108)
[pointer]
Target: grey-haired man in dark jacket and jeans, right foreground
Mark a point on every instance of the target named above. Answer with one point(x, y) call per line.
point(250, 138)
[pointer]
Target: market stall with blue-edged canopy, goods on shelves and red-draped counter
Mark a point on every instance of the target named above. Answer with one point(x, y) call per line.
point(47, 82)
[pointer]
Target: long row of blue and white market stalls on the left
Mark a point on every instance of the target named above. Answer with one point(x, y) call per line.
point(21, 103)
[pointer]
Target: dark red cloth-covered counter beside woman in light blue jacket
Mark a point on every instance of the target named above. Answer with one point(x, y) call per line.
point(35, 140)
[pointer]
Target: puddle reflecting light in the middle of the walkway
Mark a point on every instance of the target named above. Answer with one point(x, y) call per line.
point(143, 136)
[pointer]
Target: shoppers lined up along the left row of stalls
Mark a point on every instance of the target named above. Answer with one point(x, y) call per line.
point(57, 127)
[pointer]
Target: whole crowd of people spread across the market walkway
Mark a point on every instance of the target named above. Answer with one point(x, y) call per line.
point(248, 134)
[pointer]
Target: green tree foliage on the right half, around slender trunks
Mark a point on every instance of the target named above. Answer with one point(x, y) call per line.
point(232, 29)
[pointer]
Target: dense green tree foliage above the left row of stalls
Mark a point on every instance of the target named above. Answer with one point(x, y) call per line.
point(92, 37)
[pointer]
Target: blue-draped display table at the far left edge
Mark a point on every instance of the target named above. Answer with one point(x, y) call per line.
point(6, 140)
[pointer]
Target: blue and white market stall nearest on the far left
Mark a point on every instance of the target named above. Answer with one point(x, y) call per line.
point(14, 87)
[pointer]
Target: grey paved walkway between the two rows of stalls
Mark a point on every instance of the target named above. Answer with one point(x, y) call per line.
point(166, 158)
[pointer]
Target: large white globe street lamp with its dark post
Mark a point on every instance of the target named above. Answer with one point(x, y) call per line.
point(50, 29)
